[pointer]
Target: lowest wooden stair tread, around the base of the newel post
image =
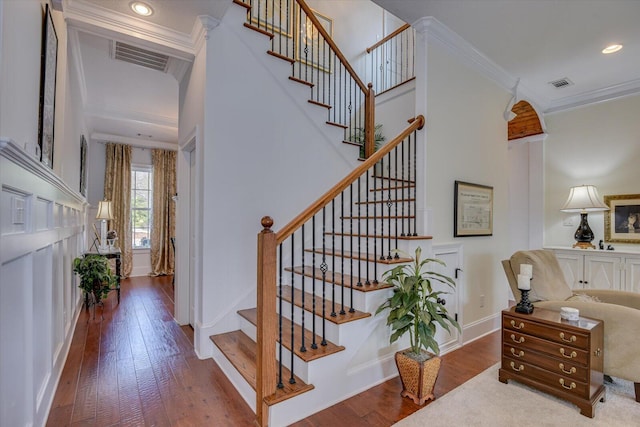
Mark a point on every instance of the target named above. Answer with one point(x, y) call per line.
point(241, 351)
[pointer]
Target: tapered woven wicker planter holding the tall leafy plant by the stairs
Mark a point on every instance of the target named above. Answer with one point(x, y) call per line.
point(418, 378)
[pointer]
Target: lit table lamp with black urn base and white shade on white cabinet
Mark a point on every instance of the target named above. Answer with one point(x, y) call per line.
point(584, 199)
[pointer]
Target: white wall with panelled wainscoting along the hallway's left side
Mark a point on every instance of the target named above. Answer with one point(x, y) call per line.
point(39, 298)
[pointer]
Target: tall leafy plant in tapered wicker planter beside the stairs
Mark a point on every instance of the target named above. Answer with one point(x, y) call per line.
point(417, 309)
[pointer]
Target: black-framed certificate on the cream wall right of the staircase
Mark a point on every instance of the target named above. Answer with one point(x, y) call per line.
point(473, 210)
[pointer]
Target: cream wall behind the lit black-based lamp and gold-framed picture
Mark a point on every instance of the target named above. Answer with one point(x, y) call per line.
point(598, 145)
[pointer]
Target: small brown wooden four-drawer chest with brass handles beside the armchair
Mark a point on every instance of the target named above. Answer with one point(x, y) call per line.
point(556, 356)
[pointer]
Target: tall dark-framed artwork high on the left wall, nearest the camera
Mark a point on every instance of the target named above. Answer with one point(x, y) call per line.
point(49, 61)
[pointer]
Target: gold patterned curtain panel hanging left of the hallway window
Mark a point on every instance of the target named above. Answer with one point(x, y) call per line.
point(117, 188)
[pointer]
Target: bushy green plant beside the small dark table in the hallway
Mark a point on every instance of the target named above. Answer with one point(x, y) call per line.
point(96, 277)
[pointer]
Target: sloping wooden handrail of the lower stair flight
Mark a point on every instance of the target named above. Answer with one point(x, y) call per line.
point(297, 222)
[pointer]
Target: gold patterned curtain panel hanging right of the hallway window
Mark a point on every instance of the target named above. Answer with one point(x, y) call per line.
point(164, 211)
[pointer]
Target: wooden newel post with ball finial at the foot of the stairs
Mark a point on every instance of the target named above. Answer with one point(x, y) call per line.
point(266, 327)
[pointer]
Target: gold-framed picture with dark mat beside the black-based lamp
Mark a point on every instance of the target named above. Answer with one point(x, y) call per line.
point(622, 221)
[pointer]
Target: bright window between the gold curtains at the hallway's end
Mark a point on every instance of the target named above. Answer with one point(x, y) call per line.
point(141, 203)
